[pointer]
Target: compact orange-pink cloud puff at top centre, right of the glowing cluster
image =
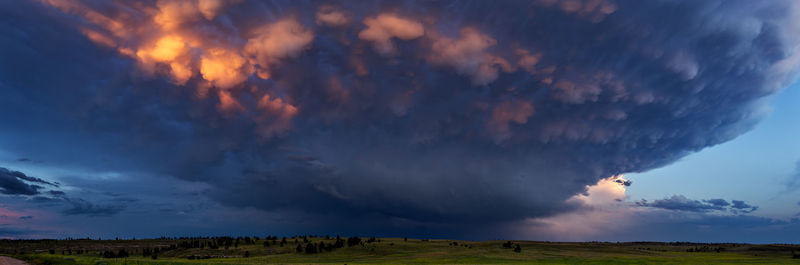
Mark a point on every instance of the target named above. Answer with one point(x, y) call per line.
point(385, 27)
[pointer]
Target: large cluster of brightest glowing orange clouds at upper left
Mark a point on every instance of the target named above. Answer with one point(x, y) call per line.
point(178, 39)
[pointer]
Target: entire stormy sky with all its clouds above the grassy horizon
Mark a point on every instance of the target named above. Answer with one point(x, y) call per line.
point(567, 120)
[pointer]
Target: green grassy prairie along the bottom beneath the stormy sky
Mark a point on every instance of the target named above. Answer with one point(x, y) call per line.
point(394, 251)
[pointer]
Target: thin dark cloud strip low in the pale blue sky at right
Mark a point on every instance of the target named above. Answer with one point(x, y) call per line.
point(681, 203)
